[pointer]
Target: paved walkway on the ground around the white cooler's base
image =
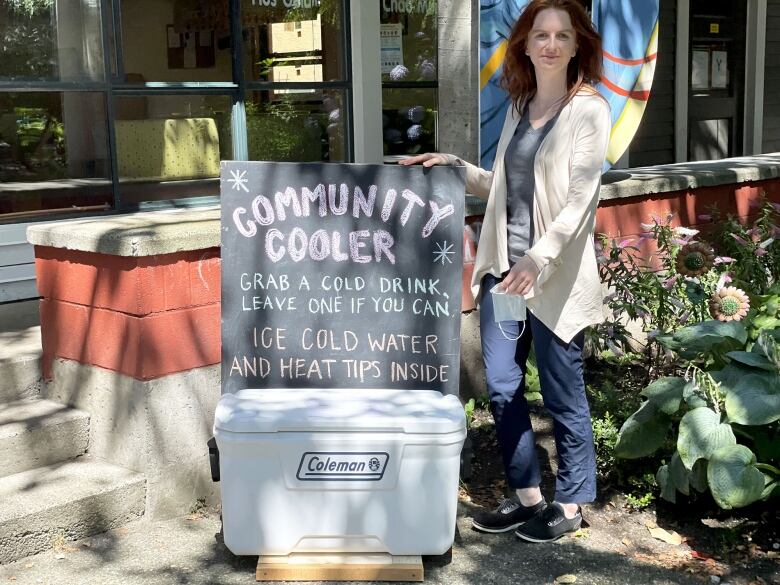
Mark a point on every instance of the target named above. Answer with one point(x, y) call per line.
point(190, 550)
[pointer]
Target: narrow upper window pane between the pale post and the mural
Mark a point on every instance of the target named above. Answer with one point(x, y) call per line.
point(408, 40)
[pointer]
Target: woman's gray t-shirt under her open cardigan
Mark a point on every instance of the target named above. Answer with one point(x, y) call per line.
point(519, 170)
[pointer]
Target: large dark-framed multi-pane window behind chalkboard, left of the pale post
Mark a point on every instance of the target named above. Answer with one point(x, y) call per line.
point(149, 124)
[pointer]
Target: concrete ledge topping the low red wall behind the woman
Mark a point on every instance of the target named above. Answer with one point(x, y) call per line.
point(617, 184)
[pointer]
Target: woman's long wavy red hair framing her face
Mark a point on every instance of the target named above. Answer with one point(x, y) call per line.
point(584, 69)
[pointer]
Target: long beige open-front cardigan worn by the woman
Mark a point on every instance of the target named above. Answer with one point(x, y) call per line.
point(567, 170)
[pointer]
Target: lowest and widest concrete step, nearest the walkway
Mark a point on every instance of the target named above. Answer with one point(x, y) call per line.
point(64, 502)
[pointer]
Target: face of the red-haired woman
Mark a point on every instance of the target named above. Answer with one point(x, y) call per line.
point(552, 41)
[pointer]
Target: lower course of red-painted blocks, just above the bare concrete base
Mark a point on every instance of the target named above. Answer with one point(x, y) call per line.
point(141, 347)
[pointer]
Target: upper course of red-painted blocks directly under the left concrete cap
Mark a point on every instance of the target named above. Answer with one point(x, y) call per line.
point(133, 285)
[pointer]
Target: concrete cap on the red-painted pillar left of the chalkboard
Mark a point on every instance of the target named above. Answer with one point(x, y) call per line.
point(137, 234)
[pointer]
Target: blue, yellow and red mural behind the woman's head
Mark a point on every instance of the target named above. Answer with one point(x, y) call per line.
point(629, 29)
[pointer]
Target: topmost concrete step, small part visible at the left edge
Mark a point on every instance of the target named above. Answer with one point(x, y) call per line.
point(20, 363)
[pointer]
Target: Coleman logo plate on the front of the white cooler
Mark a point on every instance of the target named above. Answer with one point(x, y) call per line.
point(342, 466)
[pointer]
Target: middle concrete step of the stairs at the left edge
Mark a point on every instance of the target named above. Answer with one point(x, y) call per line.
point(35, 432)
